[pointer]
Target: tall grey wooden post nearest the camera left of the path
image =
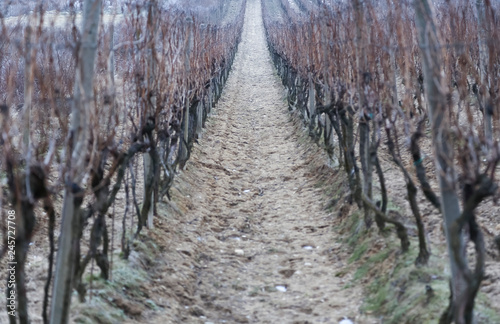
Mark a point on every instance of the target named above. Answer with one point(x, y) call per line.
point(78, 141)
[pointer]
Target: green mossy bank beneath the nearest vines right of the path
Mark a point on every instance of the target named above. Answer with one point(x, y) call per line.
point(400, 292)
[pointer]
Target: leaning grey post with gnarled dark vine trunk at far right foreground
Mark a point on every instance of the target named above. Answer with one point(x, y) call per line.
point(477, 184)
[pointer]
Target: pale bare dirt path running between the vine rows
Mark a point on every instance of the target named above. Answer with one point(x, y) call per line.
point(266, 251)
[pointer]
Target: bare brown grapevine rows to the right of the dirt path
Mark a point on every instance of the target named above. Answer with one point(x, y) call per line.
point(378, 81)
